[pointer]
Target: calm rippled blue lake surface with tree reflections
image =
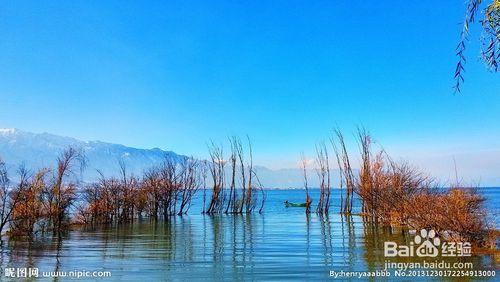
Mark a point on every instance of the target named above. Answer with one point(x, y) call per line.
point(280, 244)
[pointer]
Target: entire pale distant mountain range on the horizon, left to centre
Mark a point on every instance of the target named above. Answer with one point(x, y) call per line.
point(36, 150)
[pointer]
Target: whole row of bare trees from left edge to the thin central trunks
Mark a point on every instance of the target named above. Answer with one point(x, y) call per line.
point(51, 199)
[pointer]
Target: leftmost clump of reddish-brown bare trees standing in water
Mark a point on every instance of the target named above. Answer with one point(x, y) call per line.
point(42, 200)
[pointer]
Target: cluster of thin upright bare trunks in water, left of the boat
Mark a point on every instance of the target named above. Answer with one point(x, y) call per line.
point(238, 192)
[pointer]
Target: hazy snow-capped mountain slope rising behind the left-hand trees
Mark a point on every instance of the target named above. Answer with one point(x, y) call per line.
point(41, 150)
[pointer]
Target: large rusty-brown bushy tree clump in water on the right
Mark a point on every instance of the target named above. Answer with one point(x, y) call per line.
point(398, 194)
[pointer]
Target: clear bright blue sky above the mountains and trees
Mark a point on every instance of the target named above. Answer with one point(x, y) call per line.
point(174, 74)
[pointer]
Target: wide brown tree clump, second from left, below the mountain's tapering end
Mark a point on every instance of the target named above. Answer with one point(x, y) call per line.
point(162, 191)
